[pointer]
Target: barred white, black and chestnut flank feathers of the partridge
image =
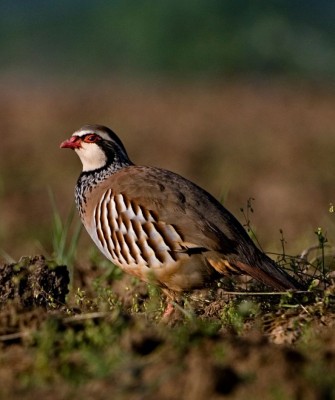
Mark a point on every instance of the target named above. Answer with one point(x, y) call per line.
point(130, 235)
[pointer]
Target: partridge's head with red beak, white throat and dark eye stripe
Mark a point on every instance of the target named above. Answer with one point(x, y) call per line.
point(97, 147)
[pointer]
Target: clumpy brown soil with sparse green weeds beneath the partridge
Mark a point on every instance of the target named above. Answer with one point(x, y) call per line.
point(230, 347)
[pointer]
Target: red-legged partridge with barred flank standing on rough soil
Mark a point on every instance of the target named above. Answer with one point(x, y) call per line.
point(159, 226)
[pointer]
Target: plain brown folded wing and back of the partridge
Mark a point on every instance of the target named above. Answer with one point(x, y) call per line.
point(197, 216)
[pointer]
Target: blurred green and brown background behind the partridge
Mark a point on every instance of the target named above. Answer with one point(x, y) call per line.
point(250, 123)
